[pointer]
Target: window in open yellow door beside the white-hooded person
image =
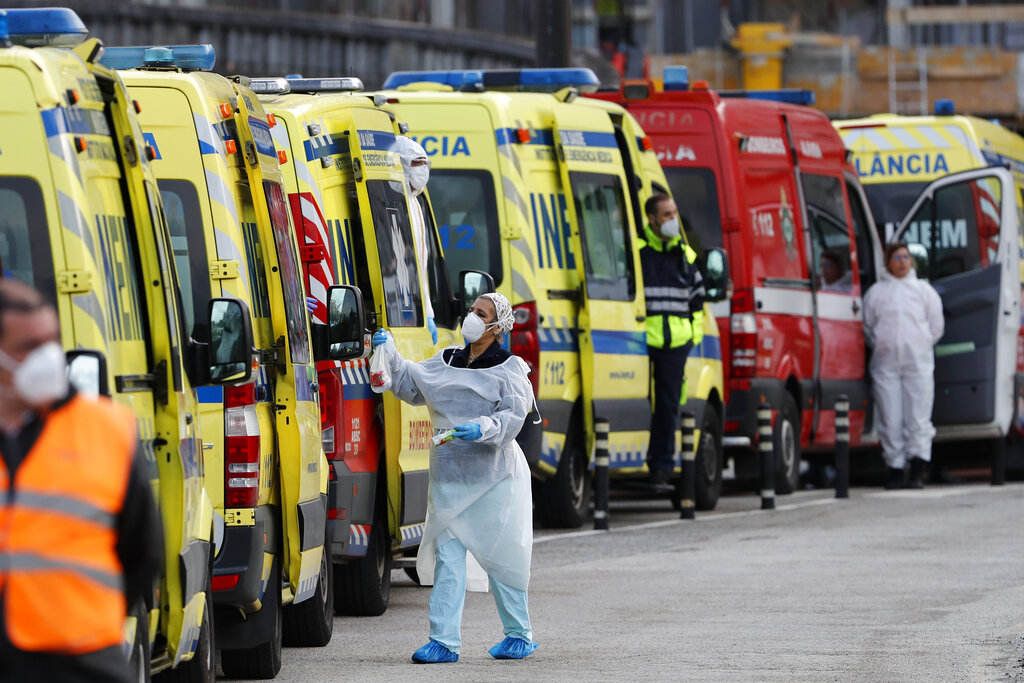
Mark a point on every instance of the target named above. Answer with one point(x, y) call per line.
point(397, 252)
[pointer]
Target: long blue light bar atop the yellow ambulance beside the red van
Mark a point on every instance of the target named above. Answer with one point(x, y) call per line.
point(528, 80)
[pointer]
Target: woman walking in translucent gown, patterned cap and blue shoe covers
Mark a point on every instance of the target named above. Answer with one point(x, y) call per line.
point(480, 507)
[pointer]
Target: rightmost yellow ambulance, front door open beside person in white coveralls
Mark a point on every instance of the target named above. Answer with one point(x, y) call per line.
point(979, 366)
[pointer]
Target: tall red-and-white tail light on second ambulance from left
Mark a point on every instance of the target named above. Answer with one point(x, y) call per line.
point(241, 447)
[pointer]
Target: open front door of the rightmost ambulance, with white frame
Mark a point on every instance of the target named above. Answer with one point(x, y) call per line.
point(965, 244)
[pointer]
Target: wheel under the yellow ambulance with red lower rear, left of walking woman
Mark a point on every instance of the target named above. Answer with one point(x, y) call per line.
point(363, 586)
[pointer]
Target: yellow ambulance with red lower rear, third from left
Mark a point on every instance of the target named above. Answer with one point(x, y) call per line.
point(351, 210)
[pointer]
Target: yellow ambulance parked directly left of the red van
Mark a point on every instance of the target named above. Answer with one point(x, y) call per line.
point(545, 192)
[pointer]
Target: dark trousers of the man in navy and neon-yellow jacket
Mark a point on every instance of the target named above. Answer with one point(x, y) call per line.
point(668, 369)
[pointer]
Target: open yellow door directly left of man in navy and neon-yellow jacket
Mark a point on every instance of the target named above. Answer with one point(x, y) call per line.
point(612, 326)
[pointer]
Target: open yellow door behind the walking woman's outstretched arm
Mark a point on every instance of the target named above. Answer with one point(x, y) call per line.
point(388, 235)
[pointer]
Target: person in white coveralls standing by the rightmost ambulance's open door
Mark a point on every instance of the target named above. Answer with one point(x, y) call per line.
point(903, 324)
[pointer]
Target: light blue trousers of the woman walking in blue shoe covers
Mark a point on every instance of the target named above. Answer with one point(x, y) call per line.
point(449, 595)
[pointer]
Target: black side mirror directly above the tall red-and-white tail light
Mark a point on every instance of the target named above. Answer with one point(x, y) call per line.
point(231, 343)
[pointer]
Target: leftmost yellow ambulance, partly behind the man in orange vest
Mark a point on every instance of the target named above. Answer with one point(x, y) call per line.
point(81, 220)
